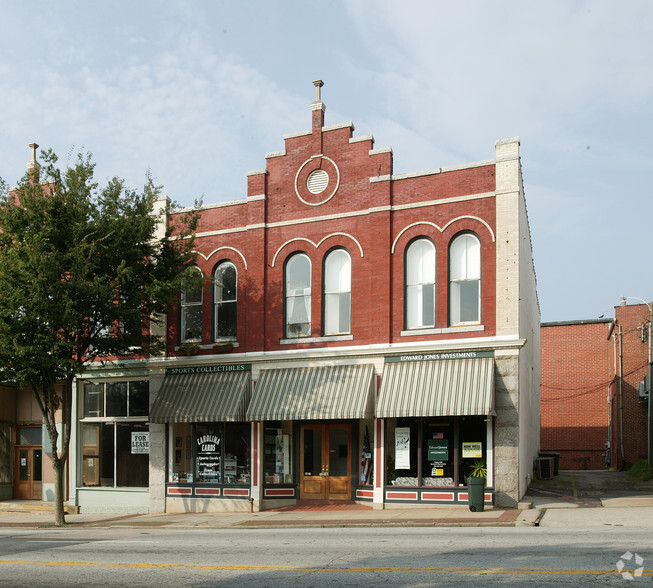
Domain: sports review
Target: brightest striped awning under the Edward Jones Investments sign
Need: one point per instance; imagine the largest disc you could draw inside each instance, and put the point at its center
(455, 387)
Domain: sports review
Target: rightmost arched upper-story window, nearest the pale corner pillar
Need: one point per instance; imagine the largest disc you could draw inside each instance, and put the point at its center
(465, 280)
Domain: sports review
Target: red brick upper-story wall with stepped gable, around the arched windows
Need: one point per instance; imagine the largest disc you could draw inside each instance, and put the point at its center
(364, 209)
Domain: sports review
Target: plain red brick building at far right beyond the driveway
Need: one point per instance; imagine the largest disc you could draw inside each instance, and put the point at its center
(592, 412)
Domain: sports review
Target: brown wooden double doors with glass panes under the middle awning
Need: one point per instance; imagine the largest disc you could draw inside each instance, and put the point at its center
(326, 462)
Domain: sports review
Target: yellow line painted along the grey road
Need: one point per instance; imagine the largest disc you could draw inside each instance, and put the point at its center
(353, 569)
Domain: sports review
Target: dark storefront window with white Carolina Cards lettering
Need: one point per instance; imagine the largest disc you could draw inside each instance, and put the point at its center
(211, 453)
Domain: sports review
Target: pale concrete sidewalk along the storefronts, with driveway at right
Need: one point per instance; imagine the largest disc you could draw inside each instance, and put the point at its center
(570, 499)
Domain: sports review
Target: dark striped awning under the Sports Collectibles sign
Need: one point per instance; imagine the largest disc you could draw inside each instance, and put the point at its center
(202, 397)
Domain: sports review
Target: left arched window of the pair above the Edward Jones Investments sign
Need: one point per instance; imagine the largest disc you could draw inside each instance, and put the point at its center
(420, 284)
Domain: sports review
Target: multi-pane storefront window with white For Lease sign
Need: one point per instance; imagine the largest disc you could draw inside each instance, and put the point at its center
(114, 440)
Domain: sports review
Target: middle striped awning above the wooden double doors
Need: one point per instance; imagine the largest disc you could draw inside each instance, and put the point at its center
(334, 392)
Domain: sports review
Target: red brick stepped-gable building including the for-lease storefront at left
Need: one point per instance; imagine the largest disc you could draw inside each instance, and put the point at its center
(366, 337)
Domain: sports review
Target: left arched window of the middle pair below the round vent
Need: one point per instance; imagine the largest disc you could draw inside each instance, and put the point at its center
(298, 296)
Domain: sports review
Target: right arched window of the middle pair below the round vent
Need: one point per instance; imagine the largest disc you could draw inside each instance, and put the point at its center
(337, 293)
